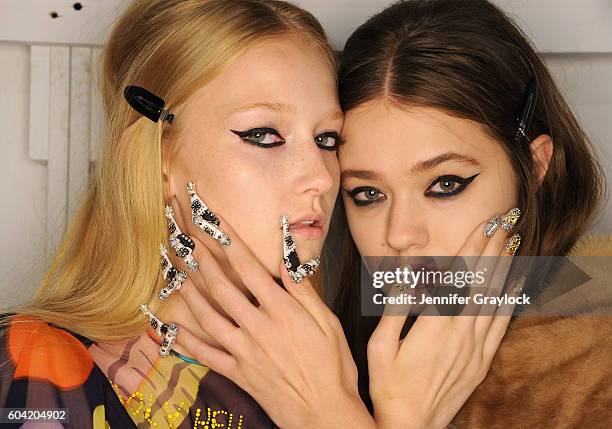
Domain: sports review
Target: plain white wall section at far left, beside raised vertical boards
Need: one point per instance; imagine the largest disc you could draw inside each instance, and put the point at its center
(22, 183)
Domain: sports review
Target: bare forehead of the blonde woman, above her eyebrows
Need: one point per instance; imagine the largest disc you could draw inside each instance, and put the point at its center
(283, 69)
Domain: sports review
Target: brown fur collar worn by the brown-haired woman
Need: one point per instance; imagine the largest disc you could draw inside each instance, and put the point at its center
(551, 372)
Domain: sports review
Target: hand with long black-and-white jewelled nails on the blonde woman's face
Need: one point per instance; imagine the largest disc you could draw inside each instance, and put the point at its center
(288, 352)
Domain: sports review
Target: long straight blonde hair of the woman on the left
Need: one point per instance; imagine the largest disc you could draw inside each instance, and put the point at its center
(108, 262)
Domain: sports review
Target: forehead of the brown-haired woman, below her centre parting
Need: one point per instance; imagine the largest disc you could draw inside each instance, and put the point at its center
(378, 131)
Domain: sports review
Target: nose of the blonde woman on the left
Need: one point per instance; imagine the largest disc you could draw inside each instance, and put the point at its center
(316, 170)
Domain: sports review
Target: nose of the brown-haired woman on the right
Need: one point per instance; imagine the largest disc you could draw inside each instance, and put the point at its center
(407, 232)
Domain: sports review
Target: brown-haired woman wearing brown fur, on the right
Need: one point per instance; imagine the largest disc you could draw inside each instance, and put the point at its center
(439, 137)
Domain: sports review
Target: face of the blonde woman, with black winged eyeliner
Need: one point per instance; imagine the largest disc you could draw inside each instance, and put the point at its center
(258, 141)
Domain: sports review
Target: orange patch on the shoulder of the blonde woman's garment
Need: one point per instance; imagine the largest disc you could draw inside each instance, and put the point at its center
(37, 351)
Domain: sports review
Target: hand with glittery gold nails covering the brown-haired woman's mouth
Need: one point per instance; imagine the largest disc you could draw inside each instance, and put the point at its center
(423, 380)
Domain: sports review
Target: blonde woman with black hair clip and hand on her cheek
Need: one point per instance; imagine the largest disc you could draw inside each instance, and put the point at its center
(242, 143)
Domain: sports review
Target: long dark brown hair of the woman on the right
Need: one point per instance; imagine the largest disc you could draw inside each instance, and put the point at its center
(471, 61)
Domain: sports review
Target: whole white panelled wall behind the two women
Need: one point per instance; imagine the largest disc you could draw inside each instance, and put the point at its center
(51, 123)
